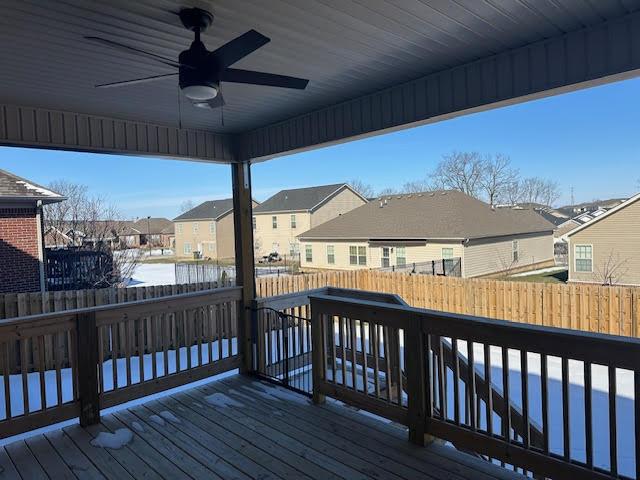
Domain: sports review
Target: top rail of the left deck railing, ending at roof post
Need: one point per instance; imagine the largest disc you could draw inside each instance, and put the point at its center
(230, 293)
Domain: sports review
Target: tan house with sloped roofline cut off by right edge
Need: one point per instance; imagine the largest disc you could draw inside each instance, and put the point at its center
(606, 250)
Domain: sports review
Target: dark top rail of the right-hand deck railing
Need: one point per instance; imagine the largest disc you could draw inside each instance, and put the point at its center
(618, 351)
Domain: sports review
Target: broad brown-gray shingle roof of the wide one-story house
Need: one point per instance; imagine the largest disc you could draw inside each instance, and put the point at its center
(442, 214)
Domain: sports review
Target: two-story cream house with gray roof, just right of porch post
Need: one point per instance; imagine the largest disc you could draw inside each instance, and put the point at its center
(280, 219)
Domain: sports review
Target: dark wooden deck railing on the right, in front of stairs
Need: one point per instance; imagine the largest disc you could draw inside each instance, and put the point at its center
(567, 400)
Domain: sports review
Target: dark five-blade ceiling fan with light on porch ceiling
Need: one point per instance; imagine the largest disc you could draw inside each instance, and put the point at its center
(200, 71)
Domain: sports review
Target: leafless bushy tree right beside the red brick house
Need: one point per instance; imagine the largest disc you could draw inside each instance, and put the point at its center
(90, 223)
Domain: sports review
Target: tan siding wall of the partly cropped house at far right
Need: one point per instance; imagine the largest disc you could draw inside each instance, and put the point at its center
(615, 239)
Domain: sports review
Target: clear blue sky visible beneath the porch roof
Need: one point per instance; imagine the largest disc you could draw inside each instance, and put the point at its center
(587, 139)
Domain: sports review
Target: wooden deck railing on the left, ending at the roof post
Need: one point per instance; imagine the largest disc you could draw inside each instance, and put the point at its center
(103, 356)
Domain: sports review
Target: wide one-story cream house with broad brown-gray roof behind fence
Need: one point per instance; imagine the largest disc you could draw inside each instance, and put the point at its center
(398, 230)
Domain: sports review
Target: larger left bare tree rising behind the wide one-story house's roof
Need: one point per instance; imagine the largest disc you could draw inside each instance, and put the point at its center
(459, 171)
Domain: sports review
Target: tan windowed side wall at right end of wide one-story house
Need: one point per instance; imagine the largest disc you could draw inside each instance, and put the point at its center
(483, 257)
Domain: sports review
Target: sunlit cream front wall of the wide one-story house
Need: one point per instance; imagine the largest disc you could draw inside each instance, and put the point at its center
(423, 253)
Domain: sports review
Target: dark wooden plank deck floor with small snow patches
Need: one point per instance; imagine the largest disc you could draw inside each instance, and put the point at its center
(238, 428)
